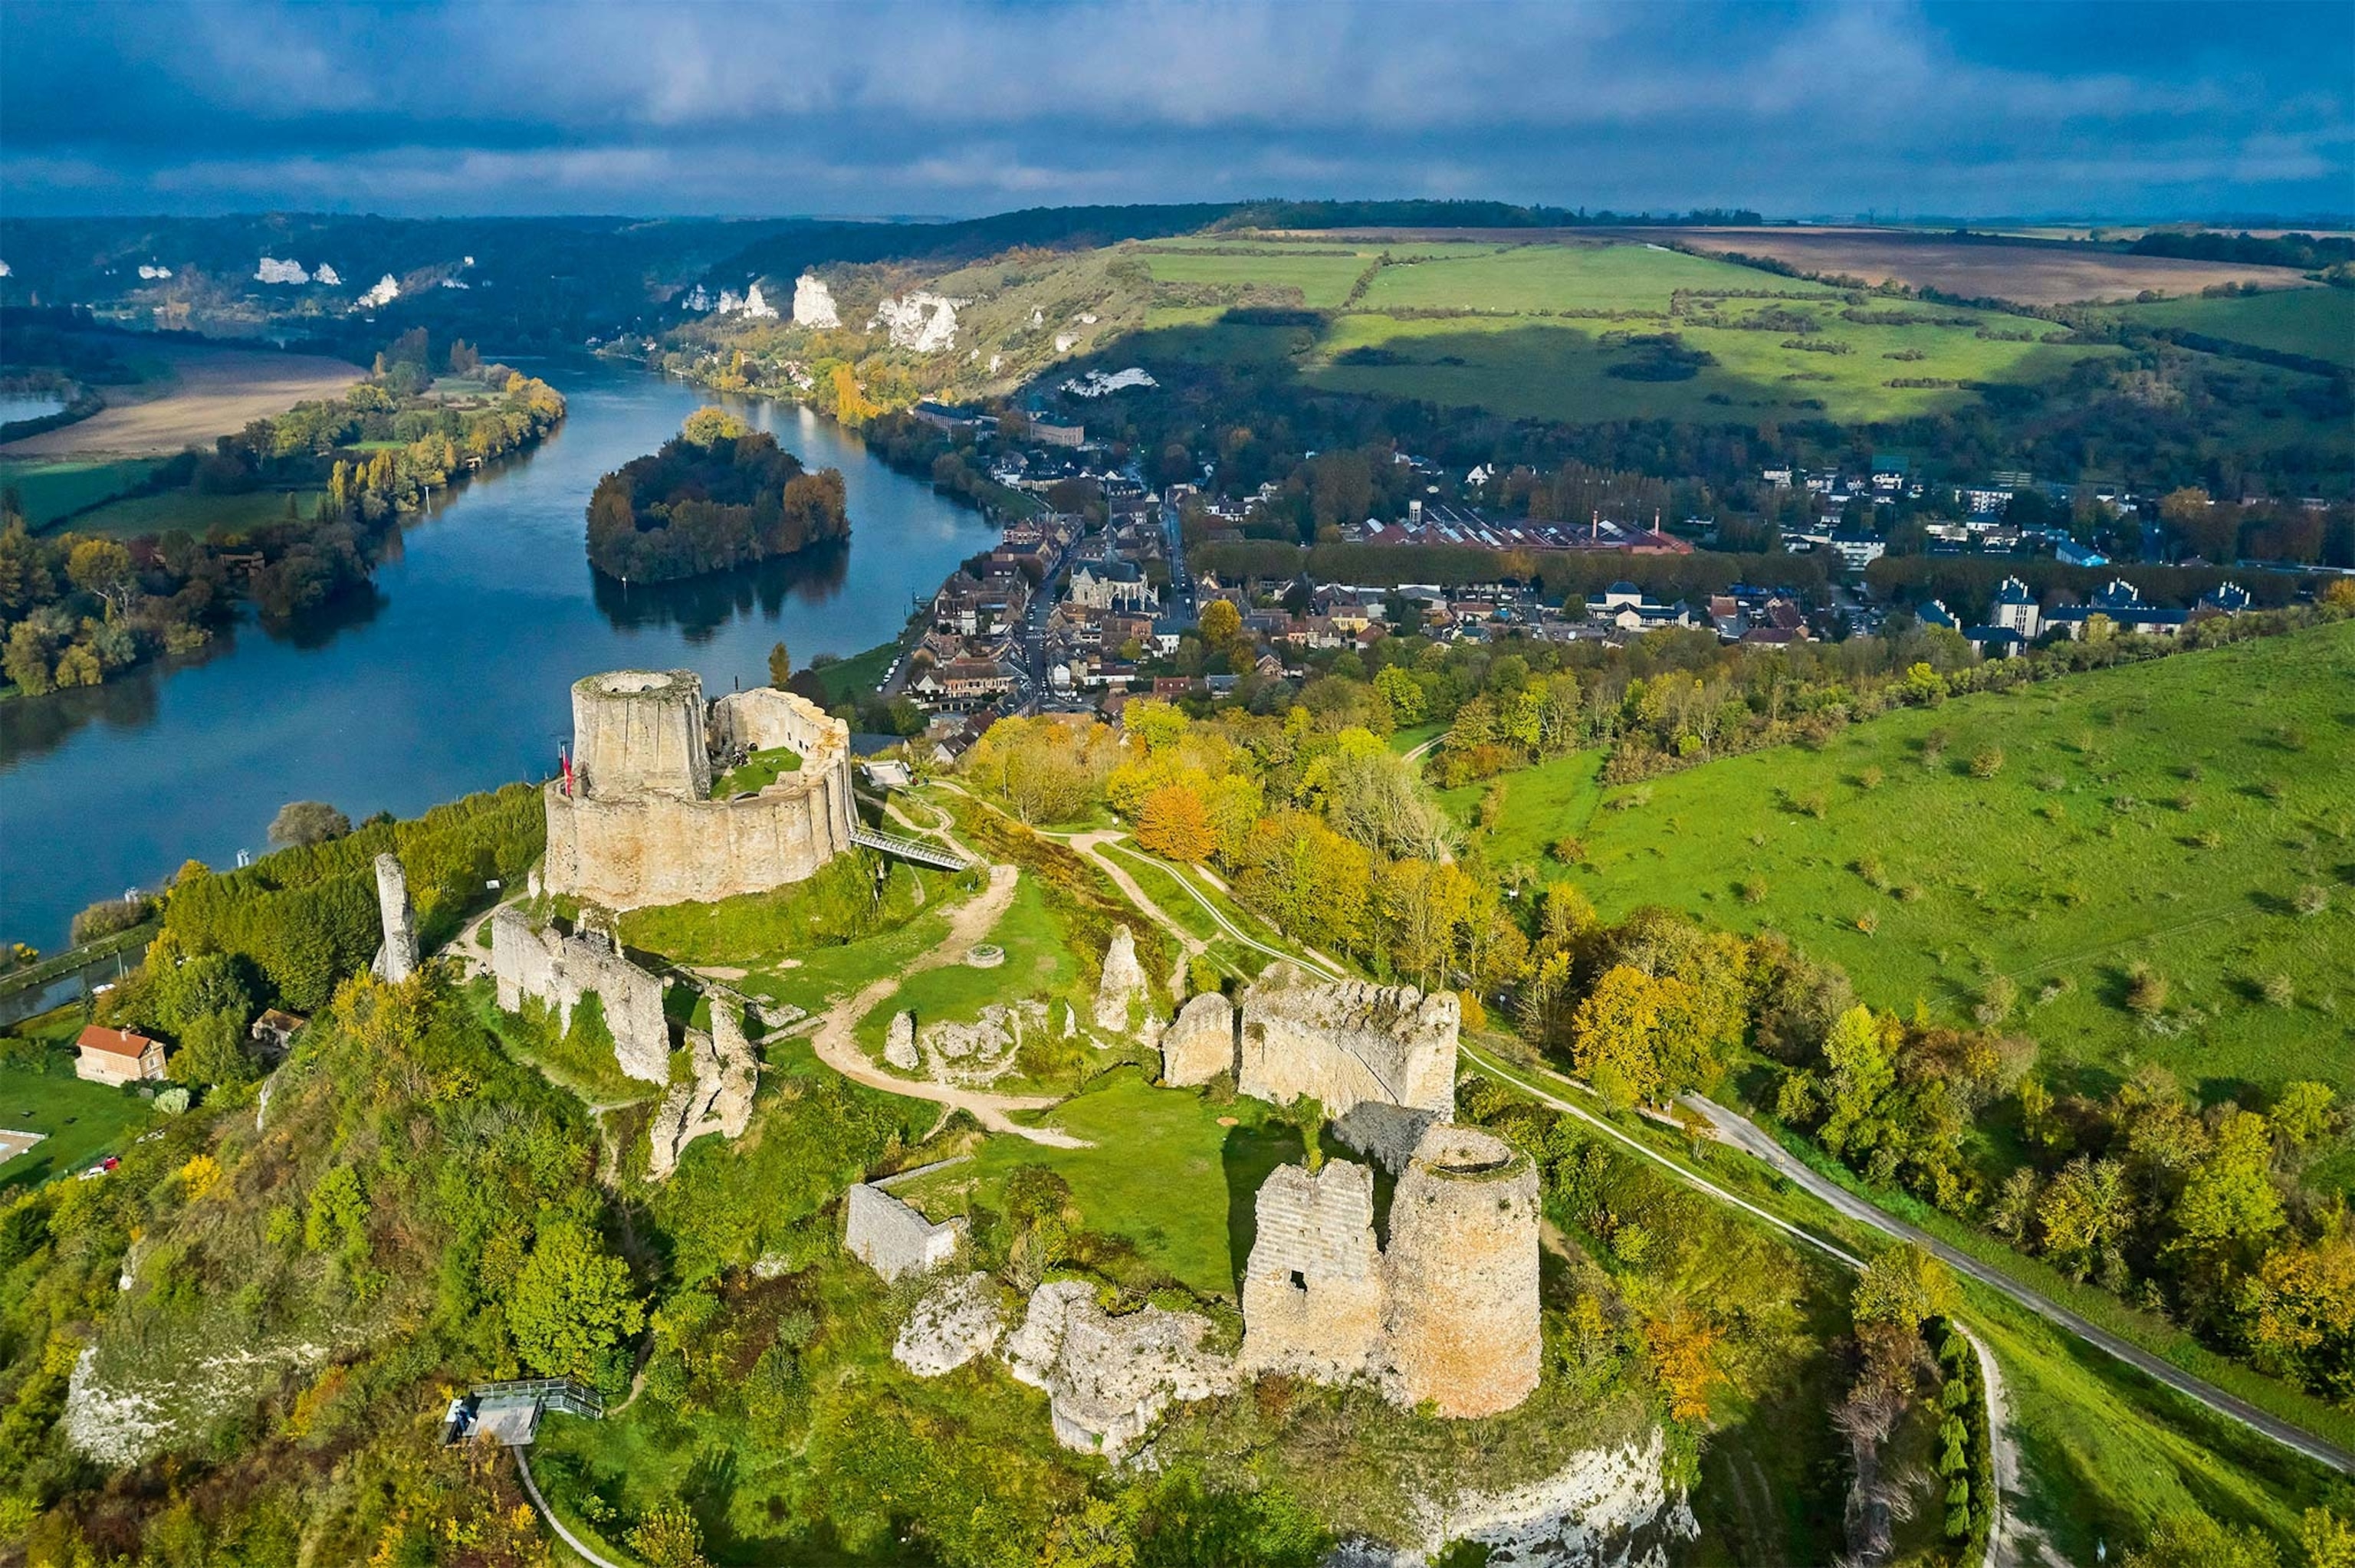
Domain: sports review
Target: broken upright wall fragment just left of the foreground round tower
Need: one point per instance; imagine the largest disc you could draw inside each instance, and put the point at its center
(1313, 1294)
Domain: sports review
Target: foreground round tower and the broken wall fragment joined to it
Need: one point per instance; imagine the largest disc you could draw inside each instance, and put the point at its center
(1447, 1315)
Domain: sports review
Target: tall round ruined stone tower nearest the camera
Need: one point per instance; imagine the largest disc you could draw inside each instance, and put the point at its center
(1461, 1308)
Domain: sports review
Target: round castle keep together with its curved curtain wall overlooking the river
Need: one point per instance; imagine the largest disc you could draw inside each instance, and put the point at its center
(639, 823)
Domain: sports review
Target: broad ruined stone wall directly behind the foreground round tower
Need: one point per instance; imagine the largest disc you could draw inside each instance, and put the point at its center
(1348, 1042)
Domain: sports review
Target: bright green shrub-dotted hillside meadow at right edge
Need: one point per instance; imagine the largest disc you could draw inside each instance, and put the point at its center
(2175, 816)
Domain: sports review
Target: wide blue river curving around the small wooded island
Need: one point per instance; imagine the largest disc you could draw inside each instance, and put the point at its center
(456, 672)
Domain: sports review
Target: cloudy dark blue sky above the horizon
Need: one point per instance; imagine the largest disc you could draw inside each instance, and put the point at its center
(1798, 109)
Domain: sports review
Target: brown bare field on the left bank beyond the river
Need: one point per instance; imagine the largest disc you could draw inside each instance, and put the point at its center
(213, 392)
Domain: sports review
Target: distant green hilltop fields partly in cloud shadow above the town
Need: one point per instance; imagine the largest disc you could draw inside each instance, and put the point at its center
(1558, 333)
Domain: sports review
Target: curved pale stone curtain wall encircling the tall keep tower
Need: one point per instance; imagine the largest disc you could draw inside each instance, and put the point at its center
(665, 846)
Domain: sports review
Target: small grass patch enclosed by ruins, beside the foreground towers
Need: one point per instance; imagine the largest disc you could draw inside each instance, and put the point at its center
(1160, 1171)
